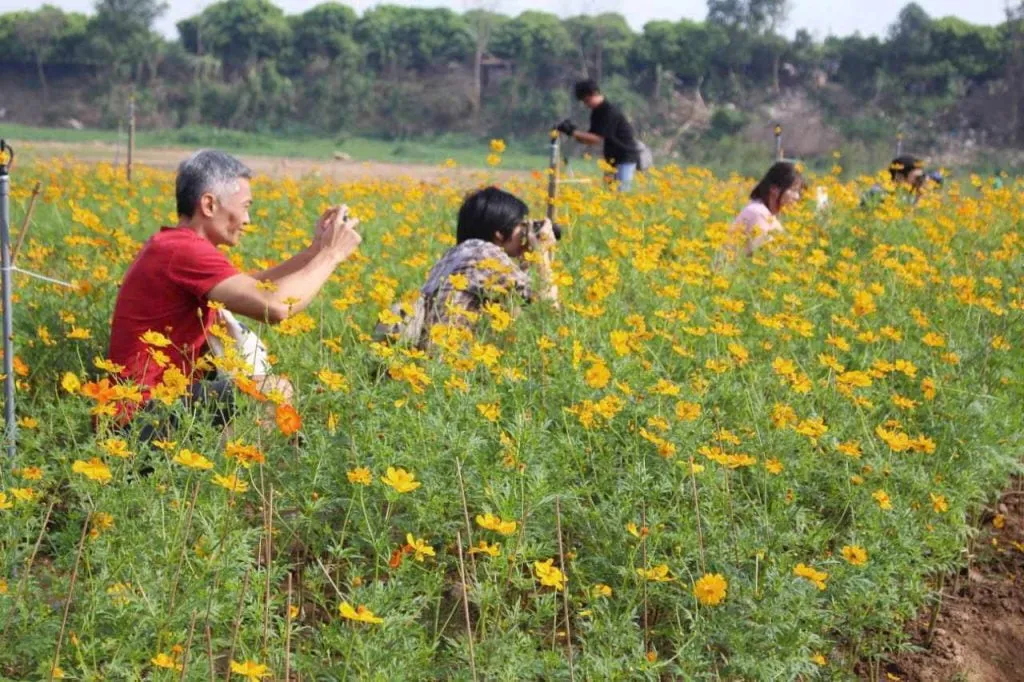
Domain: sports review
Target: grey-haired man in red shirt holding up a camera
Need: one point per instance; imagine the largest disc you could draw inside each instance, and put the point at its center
(163, 312)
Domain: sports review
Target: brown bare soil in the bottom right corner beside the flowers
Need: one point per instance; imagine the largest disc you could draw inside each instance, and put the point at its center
(979, 635)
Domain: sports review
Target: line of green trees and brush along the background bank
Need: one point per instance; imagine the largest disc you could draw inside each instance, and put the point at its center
(398, 71)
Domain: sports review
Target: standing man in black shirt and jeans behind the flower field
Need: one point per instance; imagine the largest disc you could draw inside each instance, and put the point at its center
(610, 129)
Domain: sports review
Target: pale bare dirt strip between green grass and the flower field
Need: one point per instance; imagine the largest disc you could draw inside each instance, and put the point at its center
(345, 172)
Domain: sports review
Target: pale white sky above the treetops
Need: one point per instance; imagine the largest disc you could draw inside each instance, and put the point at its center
(820, 17)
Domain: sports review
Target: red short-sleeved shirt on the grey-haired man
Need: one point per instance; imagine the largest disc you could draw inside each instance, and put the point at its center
(165, 291)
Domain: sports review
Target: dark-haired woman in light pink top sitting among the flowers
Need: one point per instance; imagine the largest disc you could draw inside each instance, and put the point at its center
(759, 223)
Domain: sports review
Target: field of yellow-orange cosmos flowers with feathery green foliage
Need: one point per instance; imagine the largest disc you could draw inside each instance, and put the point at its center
(694, 470)
